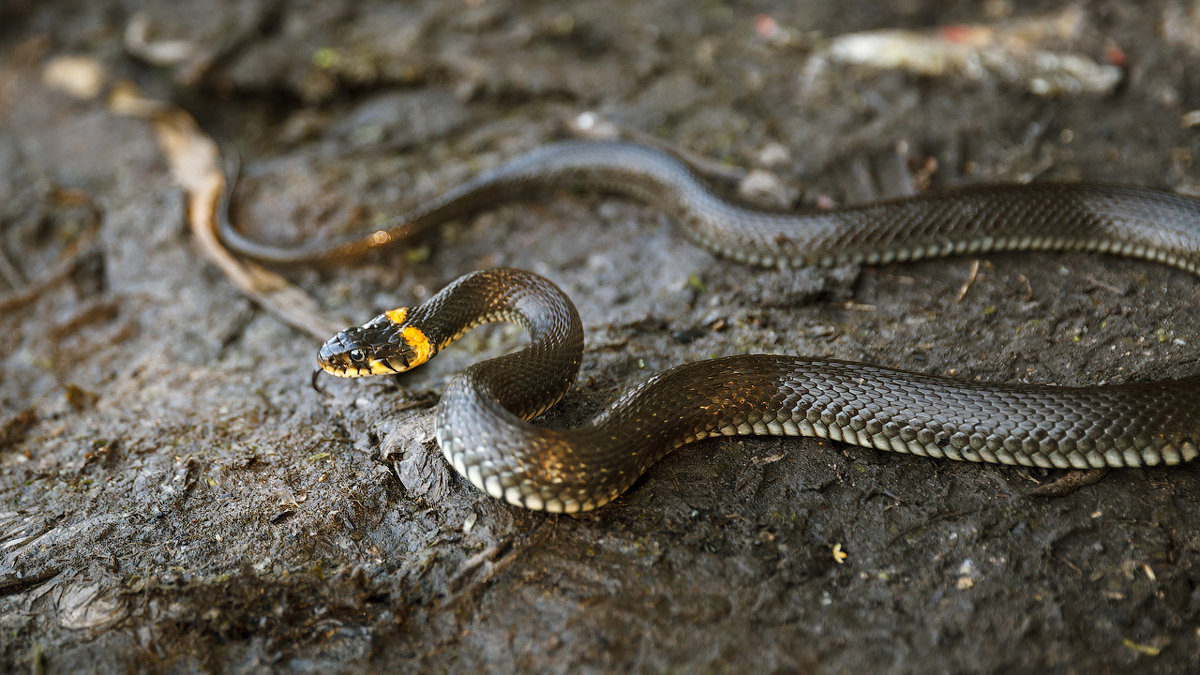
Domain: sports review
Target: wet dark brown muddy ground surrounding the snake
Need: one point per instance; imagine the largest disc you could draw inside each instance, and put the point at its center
(175, 497)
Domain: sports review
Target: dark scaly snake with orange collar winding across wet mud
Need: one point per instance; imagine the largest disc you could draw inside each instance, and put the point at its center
(484, 425)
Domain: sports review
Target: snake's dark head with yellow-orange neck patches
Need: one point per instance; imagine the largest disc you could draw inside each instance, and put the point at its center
(386, 345)
